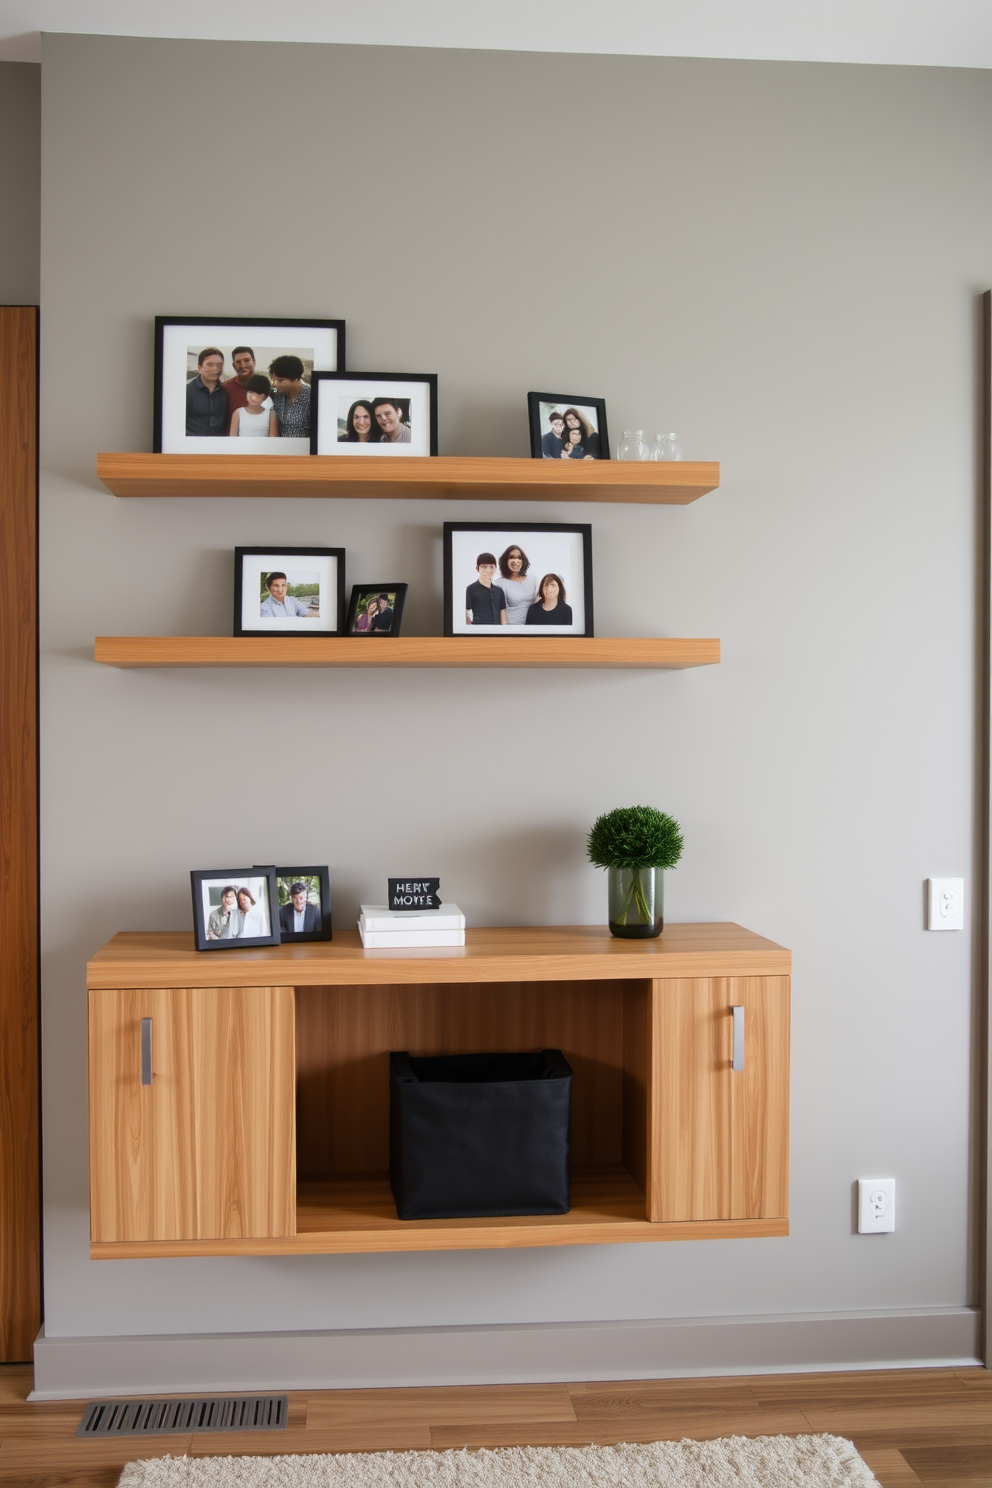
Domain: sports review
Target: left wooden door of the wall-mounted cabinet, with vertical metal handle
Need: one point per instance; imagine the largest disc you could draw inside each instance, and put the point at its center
(207, 1149)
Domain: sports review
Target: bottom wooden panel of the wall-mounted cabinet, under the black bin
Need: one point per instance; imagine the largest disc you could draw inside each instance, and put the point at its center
(358, 1215)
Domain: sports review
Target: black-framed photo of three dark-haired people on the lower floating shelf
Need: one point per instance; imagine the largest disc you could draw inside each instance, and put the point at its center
(518, 580)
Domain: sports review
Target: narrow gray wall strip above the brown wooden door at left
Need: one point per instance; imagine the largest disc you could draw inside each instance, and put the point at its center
(20, 182)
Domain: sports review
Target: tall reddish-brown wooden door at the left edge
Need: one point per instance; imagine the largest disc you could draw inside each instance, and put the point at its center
(20, 1216)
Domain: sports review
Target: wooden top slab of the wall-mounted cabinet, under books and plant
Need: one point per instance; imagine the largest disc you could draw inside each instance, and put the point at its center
(535, 953)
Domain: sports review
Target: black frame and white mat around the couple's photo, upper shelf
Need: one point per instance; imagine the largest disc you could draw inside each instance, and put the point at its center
(331, 389)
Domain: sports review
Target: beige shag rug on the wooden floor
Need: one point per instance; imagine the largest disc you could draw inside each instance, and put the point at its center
(732, 1462)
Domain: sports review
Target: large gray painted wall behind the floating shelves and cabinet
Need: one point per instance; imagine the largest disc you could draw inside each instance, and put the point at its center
(779, 261)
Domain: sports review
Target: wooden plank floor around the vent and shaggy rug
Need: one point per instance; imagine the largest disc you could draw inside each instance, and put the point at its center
(914, 1426)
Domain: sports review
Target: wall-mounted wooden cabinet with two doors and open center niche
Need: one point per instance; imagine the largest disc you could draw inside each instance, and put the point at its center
(240, 1100)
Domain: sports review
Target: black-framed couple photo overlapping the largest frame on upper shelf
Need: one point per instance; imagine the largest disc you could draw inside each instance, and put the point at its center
(376, 414)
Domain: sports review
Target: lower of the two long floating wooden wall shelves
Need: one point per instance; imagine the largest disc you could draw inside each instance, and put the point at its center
(404, 651)
